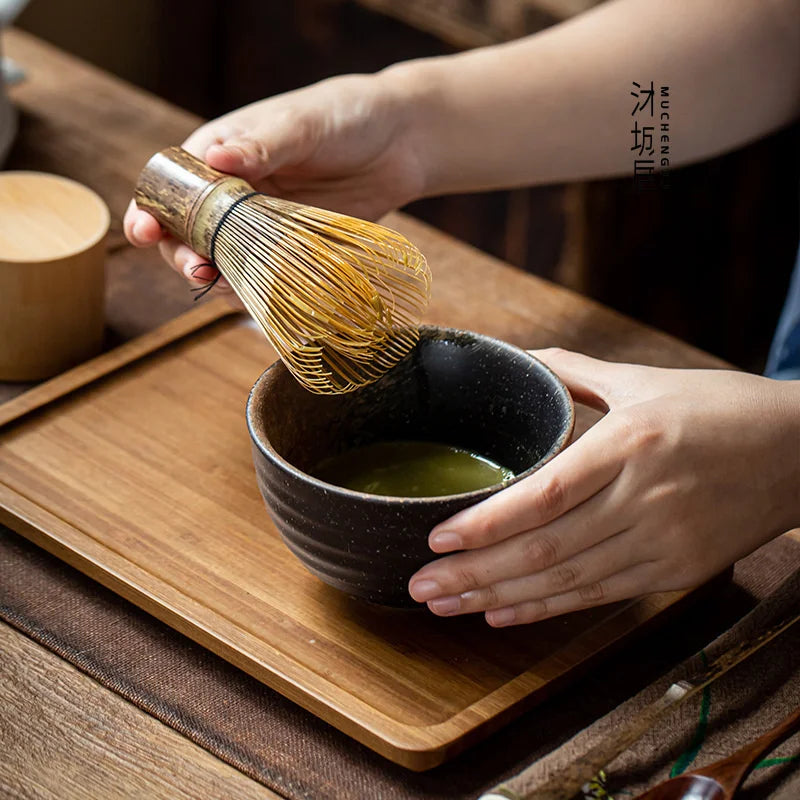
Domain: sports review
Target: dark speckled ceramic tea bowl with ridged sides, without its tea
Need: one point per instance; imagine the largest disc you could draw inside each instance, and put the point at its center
(456, 387)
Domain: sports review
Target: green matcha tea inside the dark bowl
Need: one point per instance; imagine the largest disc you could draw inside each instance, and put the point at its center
(411, 469)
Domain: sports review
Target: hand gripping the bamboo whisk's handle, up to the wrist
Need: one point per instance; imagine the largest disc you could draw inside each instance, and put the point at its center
(345, 144)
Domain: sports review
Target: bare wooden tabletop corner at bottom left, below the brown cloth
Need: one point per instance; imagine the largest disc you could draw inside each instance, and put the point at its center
(58, 746)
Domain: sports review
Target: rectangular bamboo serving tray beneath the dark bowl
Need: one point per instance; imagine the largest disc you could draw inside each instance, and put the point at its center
(135, 468)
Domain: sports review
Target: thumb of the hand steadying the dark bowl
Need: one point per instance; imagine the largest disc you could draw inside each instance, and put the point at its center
(599, 384)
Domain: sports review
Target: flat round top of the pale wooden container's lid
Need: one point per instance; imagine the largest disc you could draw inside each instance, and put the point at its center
(47, 217)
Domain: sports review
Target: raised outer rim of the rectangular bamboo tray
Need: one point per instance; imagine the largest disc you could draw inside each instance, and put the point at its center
(417, 747)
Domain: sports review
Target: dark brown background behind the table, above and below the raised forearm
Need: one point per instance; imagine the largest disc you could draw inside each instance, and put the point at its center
(707, 260)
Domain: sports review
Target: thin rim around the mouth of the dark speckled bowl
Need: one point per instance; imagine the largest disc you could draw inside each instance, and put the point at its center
(441, 332)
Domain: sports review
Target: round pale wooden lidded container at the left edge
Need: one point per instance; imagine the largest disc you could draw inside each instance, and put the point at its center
(52, 280)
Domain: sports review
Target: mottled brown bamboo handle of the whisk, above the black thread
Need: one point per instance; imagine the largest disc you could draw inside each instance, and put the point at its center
(187, 197)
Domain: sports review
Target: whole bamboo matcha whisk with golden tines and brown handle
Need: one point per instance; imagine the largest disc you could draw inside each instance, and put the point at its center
(339, 298)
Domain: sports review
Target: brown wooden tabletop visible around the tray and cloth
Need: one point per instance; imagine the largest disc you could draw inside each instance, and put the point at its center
(80, 122)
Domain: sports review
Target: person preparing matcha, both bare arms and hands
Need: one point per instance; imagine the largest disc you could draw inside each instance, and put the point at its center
(689, 469)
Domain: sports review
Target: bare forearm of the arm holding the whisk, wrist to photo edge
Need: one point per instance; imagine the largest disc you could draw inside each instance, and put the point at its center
(556, 106)
